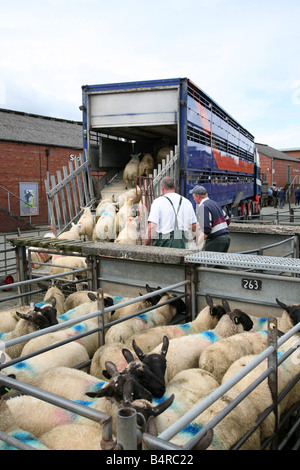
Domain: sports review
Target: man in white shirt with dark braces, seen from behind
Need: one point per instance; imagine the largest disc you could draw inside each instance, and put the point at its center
(170, 219)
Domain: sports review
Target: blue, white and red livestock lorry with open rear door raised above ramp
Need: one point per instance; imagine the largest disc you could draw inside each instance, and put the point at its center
(214, 149)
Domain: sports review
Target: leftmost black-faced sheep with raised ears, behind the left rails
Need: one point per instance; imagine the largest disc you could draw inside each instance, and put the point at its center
(35, 319)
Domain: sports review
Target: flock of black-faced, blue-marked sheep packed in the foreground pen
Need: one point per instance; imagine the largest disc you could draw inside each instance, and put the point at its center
(159, 369)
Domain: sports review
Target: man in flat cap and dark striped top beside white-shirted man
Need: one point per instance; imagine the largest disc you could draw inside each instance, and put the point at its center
(213, 222)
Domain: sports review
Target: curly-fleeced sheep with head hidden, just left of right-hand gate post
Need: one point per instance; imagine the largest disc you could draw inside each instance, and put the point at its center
(217, 357)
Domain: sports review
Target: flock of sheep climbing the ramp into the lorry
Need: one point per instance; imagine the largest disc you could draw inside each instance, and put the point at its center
(115, 218)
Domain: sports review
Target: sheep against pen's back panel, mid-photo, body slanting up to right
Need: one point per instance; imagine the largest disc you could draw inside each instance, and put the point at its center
(161, 315)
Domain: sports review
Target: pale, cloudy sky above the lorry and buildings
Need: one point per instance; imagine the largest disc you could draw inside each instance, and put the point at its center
(244, 54)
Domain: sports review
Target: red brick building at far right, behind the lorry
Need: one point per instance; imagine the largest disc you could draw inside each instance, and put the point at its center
(278, 168)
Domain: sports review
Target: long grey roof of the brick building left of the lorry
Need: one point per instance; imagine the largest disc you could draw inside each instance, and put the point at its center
(27, 128)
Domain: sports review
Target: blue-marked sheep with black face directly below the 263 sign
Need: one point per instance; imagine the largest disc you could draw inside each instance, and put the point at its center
(184, 352)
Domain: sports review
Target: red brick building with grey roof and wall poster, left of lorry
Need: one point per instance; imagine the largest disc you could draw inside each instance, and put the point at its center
(32, 147)
